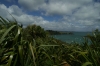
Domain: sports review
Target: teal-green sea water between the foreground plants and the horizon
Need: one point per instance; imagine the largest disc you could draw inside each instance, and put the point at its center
(77, 36)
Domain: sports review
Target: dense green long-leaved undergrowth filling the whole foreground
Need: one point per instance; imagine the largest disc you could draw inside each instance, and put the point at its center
(32, 46)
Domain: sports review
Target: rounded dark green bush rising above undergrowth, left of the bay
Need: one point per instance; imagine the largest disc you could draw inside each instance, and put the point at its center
(34, 32)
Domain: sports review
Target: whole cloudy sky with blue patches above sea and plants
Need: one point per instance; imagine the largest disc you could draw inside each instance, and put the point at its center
(60, 15)
